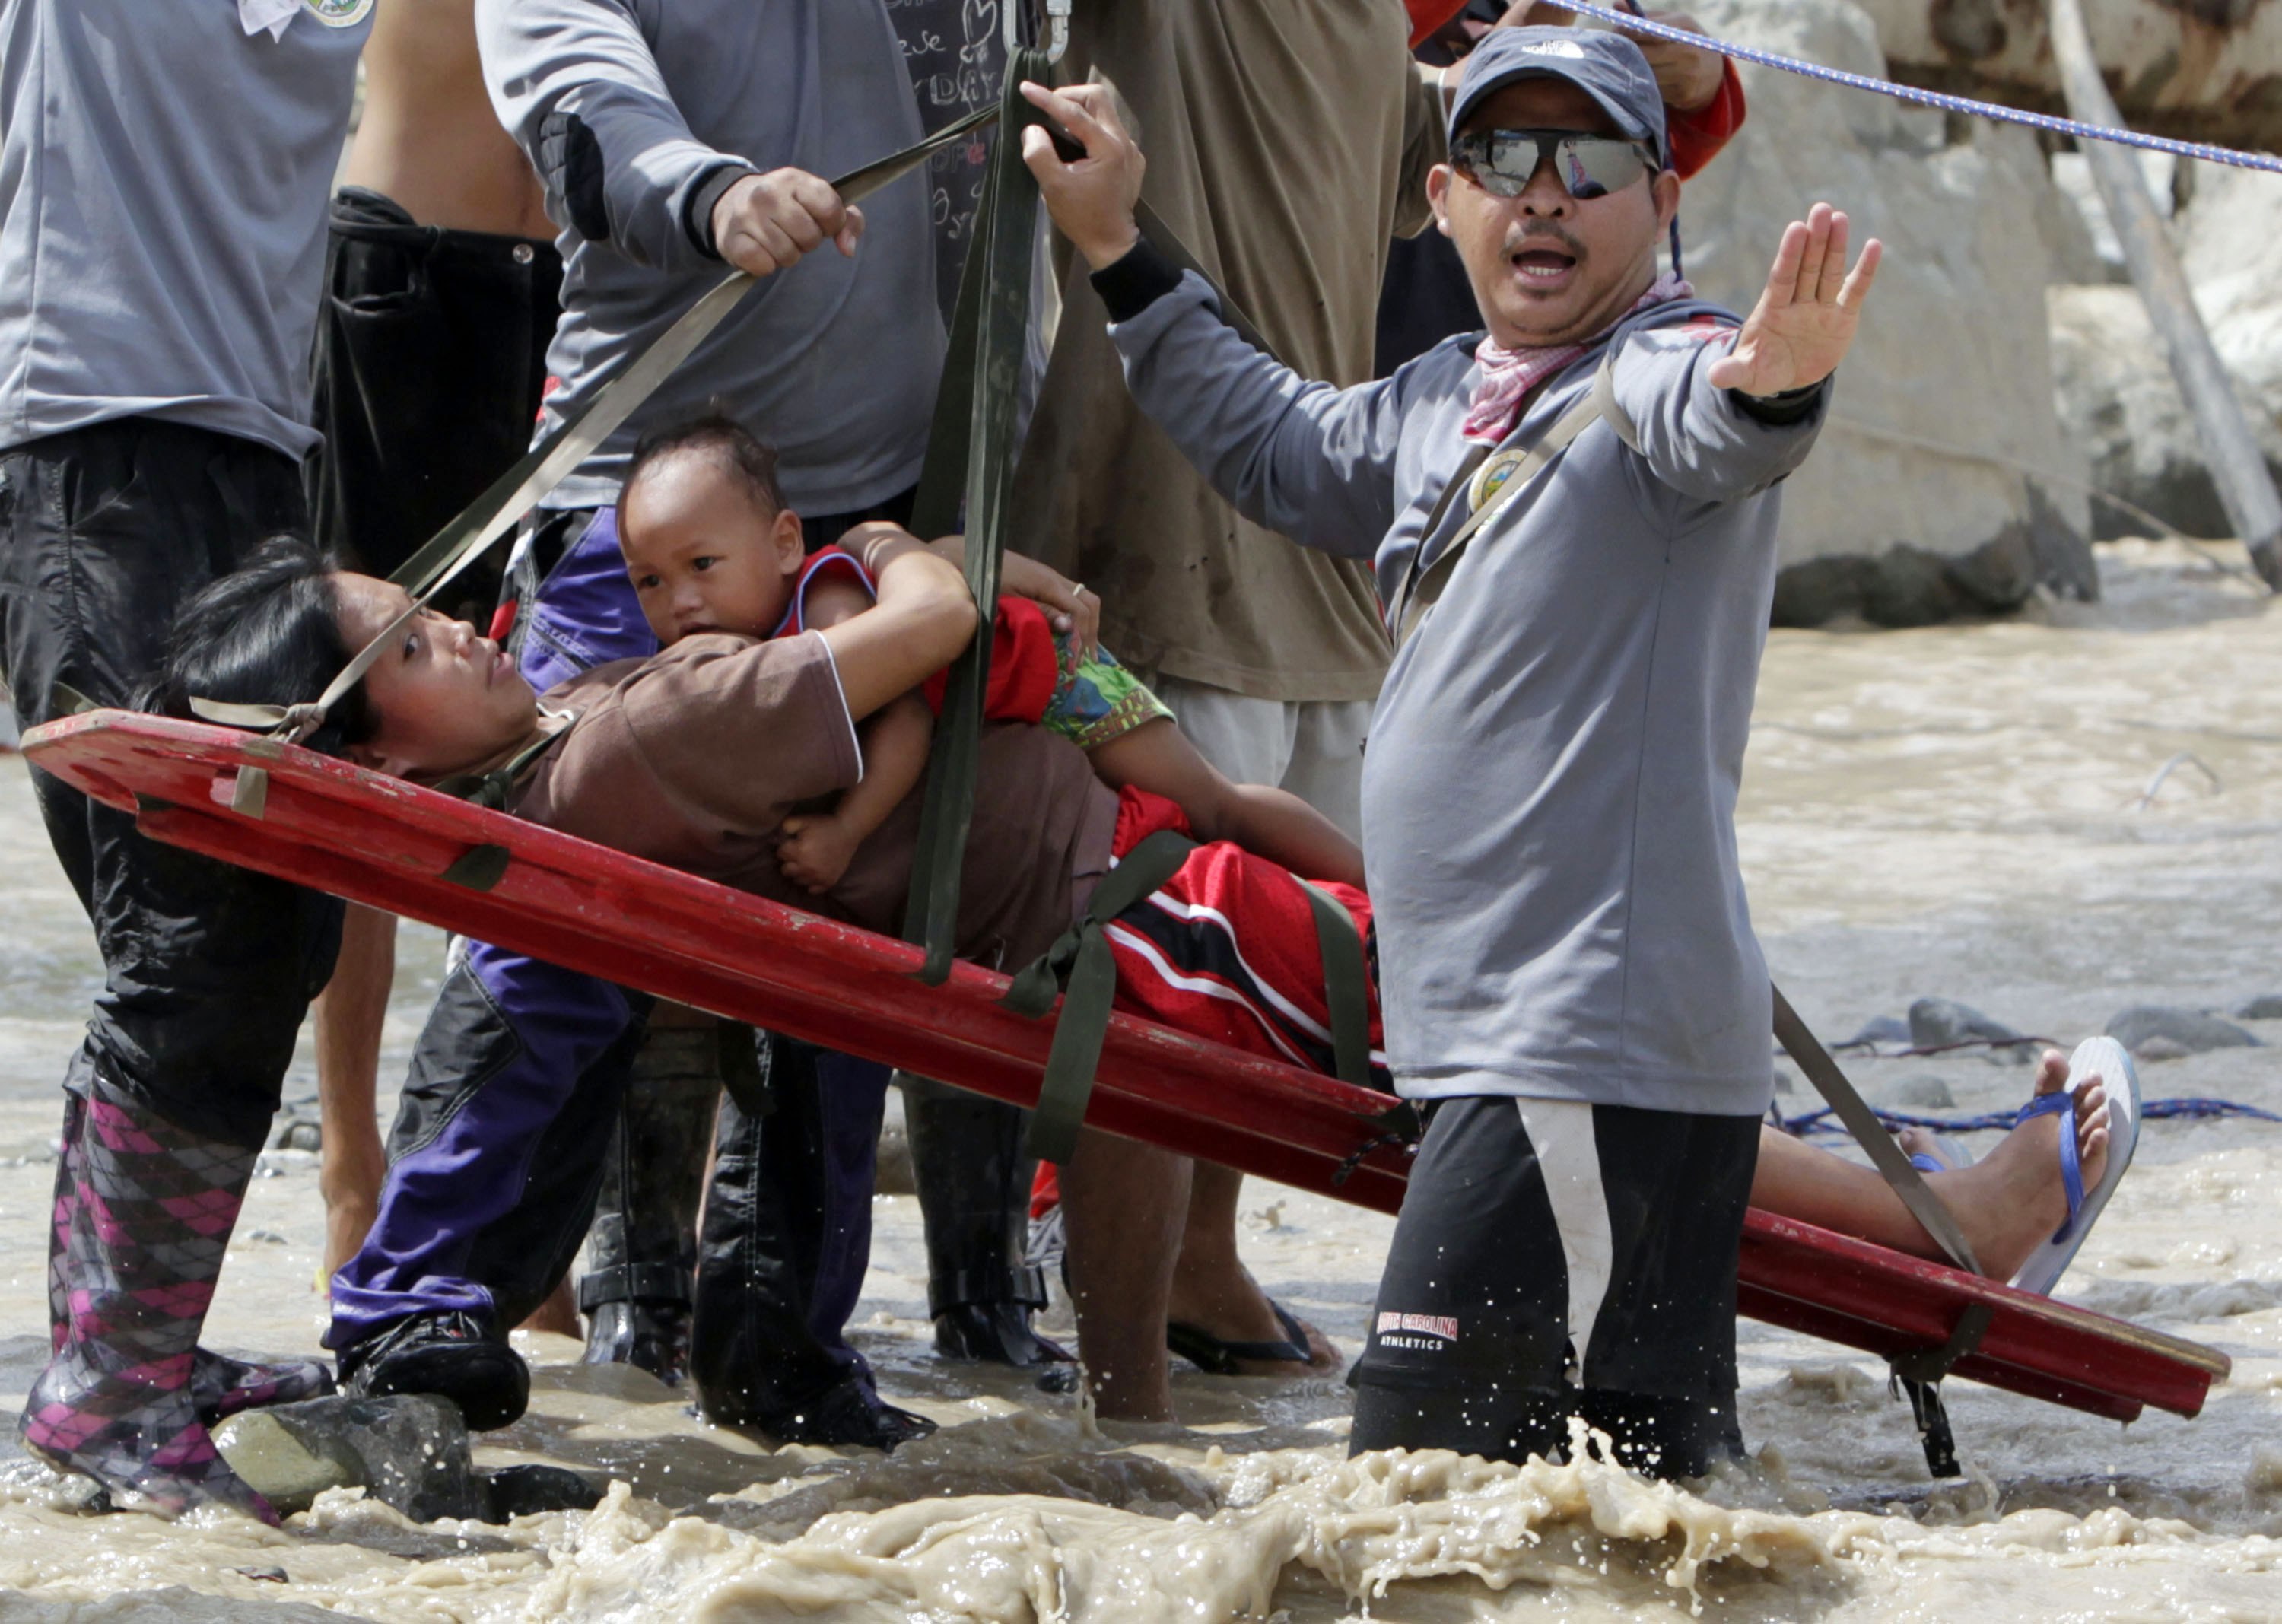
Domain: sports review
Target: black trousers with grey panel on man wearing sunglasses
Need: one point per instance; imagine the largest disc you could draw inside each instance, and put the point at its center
(1628, 1219)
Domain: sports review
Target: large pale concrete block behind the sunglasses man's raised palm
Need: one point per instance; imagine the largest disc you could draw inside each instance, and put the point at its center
(1943, 482)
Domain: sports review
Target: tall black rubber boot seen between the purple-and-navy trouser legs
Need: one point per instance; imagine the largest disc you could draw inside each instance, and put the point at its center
(642, 1251)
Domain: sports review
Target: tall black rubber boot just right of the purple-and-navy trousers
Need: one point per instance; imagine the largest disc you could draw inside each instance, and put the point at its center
(966, 1158)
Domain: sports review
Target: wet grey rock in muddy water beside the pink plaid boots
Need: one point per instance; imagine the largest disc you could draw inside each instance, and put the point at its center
(407, 1452)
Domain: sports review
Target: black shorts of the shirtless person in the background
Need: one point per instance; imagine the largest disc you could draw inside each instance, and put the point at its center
(432, 357)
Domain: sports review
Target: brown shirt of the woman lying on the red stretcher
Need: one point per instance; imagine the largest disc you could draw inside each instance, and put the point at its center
(695, 758)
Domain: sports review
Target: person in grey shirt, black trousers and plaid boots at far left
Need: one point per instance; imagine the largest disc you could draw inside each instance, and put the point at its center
(163, 179)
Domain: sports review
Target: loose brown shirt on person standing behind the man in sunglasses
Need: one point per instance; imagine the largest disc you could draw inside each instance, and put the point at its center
(1288, 143)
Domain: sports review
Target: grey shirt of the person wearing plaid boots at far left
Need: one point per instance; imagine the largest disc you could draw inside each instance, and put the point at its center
(163, 181)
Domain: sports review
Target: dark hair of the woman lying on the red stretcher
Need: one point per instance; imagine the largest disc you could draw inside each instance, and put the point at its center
(268, 635)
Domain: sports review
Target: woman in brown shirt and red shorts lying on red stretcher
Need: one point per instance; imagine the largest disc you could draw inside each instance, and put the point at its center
(697, 758)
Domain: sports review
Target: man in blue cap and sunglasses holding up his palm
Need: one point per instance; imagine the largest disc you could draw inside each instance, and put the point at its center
(1548, 799)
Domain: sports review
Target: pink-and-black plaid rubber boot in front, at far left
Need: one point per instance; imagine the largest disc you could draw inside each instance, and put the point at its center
(145, 1212)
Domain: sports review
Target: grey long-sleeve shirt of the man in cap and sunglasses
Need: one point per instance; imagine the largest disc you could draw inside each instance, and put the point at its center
(1548, 795)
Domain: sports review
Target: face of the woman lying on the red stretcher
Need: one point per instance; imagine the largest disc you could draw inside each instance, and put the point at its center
(446, 697)
